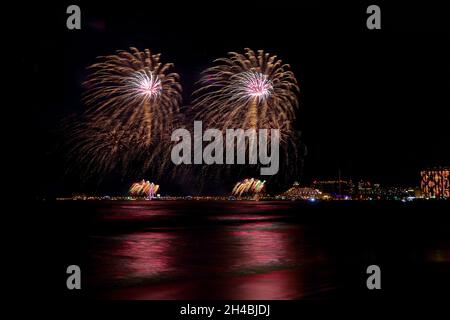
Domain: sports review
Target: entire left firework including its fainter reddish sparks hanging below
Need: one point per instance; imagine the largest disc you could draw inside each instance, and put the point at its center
(133, 102)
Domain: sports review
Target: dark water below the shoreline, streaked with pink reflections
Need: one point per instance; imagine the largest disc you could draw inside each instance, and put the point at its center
(251, 250)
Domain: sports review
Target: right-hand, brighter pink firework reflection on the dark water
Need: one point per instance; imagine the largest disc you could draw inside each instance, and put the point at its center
(263, 251)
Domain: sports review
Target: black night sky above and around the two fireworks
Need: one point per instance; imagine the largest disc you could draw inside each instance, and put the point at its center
(373, 103)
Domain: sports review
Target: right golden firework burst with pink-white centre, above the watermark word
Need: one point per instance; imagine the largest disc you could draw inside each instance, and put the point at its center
(251, 90)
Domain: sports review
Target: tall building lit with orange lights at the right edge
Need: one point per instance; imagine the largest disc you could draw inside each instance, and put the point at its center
(434, 183)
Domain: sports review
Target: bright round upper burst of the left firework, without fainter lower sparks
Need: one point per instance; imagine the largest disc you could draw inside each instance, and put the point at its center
(134, 87)
